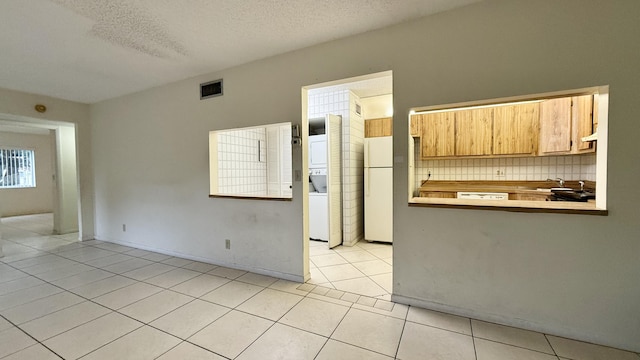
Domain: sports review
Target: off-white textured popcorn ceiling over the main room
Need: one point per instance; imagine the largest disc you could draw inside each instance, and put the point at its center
(92, 50)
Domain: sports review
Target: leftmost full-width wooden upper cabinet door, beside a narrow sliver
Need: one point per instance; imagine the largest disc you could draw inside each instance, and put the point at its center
(438, 134)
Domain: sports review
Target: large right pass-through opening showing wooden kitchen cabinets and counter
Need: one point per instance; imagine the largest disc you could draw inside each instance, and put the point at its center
(538, 151)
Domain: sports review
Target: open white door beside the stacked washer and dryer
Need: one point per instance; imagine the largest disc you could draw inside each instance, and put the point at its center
(333, 129)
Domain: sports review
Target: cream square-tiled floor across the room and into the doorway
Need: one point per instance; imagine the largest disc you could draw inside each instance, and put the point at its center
(60, 298)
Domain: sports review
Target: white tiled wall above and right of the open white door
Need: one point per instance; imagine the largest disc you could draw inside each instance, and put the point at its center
(342, 102)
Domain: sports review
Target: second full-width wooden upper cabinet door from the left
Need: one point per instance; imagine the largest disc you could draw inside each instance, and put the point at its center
(474, 131)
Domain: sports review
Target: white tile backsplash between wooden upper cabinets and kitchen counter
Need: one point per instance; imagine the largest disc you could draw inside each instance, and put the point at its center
(568, 167)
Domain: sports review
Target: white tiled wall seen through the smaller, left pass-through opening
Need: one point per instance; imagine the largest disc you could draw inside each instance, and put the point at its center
(238, 155)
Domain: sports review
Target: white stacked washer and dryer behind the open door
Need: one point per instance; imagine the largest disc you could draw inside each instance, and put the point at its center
(318, 202)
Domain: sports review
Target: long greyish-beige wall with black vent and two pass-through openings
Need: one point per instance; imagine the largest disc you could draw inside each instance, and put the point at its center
(571, 275)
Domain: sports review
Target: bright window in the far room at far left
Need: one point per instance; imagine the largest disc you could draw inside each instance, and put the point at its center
(17, 168)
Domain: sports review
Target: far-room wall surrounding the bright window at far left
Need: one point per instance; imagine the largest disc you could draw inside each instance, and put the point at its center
(34, 200)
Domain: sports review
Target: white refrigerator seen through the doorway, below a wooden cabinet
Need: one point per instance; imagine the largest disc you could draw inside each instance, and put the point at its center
(378, 189)
